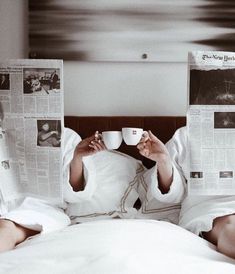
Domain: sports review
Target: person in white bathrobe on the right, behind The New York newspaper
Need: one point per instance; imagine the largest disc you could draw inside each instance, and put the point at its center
(209, 216)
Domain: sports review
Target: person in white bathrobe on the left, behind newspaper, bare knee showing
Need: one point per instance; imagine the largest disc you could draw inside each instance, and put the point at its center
(21, 219)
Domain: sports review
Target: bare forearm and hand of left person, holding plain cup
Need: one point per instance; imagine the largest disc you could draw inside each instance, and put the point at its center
(86, 147)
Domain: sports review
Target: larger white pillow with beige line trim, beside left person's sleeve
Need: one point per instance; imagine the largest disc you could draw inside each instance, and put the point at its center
(111, 188)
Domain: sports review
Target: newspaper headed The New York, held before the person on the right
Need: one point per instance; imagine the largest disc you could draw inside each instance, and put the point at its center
(211, 123)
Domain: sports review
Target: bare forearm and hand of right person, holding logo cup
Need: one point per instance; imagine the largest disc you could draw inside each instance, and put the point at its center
(151, 147)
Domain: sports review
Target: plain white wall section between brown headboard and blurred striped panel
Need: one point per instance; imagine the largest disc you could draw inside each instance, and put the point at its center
(125, 88)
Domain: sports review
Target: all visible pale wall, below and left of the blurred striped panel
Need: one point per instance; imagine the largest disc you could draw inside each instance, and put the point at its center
(103, 88)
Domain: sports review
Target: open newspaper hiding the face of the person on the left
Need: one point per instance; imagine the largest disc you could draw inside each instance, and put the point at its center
(31, 123)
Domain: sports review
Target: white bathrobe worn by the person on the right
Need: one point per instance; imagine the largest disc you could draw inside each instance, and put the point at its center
(197, 212)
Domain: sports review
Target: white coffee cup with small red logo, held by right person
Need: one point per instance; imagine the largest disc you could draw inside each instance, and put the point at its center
(132, 135)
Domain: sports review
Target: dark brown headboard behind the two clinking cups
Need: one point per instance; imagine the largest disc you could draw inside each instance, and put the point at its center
(163, 127)
